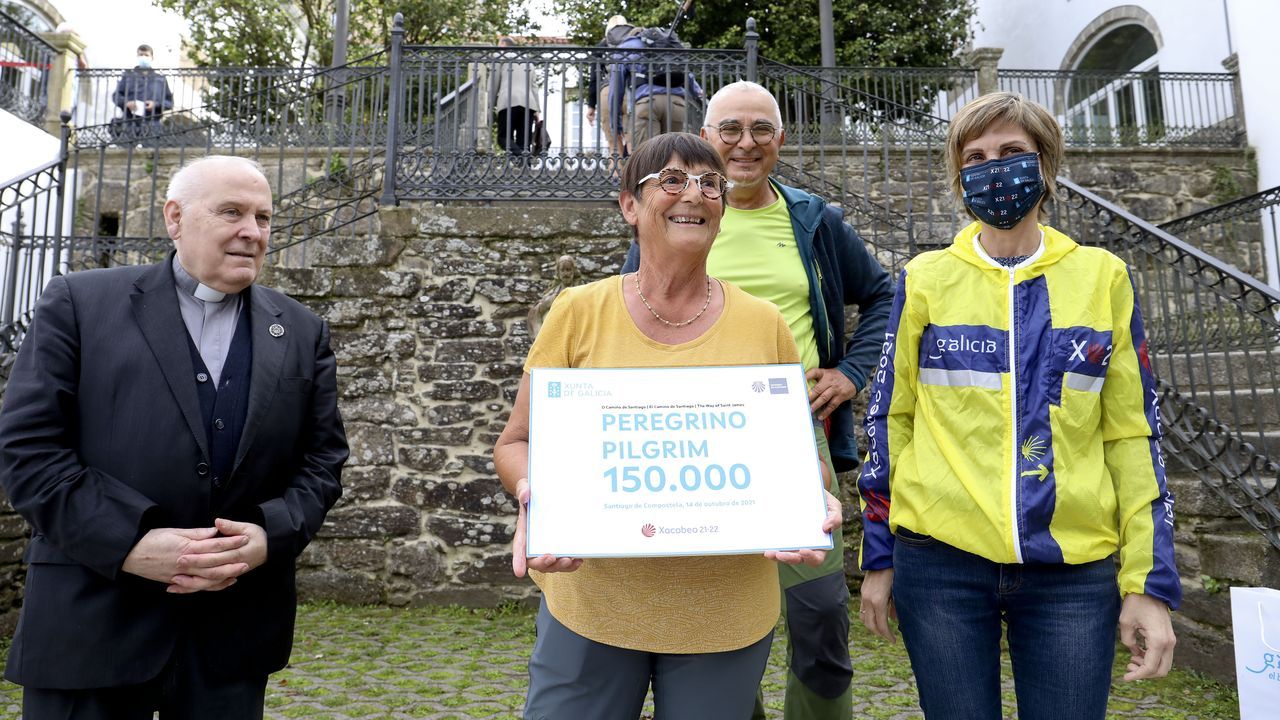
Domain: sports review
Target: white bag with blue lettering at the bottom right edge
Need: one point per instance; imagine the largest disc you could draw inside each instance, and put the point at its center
(1256, 626)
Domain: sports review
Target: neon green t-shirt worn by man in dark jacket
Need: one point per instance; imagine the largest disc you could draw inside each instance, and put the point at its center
(757, 252)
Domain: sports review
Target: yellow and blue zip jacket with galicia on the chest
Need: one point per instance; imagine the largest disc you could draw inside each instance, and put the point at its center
(1013, 416)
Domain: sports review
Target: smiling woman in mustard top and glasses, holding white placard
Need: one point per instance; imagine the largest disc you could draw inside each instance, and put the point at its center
(698, 628)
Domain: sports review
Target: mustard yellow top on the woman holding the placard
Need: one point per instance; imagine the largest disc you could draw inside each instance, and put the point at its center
(678, 605)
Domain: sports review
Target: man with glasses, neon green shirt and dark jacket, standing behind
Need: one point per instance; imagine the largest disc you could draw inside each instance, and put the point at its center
(789, 247)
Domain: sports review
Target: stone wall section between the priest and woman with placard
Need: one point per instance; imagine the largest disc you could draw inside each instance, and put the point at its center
(431, 334)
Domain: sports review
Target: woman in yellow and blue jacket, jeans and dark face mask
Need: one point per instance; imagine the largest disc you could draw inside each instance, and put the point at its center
(1014, 450)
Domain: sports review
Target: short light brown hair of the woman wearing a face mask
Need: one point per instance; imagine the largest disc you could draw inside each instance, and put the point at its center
(975, 119)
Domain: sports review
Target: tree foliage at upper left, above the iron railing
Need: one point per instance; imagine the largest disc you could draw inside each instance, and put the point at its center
(296, 33)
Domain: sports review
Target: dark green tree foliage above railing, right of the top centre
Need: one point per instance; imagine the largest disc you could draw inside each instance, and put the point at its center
(868, 33)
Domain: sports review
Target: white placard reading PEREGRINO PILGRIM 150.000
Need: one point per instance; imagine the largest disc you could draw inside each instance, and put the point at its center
(659, 462)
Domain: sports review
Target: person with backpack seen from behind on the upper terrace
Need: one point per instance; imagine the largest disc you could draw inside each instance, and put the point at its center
(660, 88)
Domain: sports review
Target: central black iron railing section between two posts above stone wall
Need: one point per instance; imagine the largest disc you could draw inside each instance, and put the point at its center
(450, 145)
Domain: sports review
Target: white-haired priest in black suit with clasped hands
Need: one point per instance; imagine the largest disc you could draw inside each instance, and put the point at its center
(172, 435)
